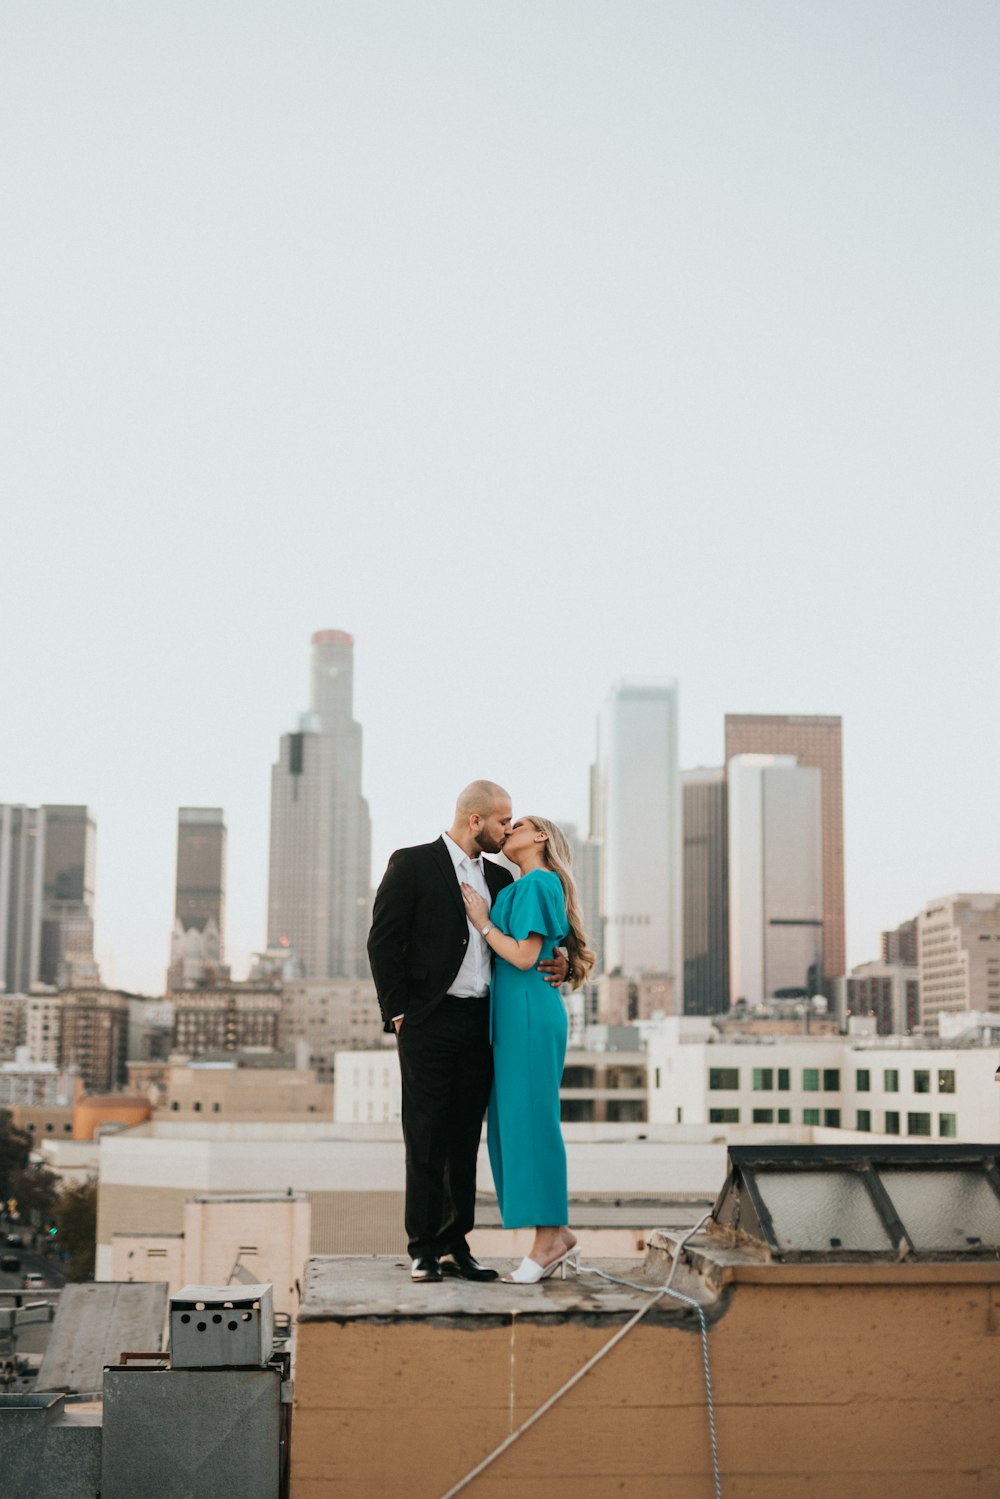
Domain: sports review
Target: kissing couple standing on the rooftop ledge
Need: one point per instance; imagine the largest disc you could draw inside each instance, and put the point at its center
(469, 965)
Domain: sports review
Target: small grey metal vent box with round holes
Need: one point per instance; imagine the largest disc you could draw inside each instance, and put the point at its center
(218, 1327)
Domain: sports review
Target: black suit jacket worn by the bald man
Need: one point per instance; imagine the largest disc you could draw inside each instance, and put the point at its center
(421, 930)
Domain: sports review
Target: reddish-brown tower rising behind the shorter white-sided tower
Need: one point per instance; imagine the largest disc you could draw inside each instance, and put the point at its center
(815, 741)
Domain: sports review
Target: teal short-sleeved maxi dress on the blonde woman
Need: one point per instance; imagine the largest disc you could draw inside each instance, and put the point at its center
(530, 1041)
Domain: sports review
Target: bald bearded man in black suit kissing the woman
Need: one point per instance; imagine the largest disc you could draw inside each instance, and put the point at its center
(433, 974)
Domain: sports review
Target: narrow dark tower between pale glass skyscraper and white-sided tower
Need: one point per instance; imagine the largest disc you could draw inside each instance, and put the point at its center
(705, 893)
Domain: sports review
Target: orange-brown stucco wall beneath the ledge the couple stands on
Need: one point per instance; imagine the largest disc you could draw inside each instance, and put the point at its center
(824, 1392)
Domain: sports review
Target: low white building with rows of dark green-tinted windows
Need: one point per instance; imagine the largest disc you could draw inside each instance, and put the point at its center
(885, 1086)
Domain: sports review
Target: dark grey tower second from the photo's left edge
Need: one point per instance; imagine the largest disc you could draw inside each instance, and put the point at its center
(68, 917)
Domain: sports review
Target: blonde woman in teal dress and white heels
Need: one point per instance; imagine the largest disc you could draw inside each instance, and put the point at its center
(530, 920)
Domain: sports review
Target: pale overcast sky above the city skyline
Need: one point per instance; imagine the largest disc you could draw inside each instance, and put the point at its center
(534, 344)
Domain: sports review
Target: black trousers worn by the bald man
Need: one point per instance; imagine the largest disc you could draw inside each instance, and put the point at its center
(448, 1070)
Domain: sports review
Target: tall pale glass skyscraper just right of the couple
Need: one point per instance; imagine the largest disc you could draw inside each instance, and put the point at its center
(639, 827)
